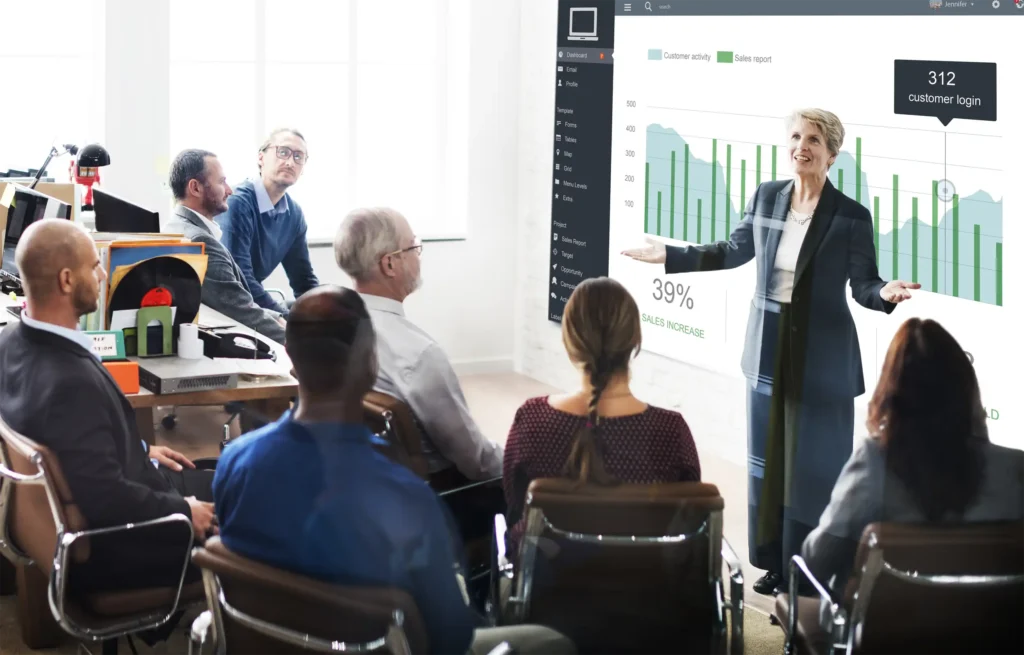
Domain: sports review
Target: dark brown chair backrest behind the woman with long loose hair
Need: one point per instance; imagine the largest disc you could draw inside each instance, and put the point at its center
(935, 588)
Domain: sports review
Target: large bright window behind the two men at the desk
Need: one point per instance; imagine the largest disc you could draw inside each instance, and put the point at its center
(379, 90)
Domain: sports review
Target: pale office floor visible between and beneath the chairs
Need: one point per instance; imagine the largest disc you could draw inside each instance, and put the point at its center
(494, 401)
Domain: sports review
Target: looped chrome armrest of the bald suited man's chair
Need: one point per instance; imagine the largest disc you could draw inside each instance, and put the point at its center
(59, 582)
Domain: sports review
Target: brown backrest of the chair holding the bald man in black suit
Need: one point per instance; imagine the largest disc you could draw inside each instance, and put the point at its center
(38, 504)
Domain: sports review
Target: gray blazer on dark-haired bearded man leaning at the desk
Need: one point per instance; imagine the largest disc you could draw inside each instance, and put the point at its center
(224, 288)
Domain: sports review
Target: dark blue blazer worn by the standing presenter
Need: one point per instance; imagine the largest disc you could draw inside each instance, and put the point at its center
(839, 248)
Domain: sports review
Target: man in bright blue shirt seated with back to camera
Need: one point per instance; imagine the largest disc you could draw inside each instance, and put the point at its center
(311, 495)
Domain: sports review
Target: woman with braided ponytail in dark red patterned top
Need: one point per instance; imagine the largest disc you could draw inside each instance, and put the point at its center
(602, 433)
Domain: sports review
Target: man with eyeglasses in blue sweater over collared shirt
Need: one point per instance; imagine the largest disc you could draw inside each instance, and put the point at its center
(265, 228)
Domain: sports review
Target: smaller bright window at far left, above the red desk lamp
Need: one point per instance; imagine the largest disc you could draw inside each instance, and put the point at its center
(52, 65)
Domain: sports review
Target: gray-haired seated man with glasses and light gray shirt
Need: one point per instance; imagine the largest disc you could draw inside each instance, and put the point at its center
(378, 250)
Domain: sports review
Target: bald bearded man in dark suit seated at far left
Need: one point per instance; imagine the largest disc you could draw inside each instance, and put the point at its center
(55, 391)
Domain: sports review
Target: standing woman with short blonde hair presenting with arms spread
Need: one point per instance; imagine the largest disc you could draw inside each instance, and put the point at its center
(801, 356)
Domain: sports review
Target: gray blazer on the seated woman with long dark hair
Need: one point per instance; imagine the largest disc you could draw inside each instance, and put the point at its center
(867, 493)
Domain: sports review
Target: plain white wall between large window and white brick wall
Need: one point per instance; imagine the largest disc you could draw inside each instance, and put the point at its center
(466, 301)
